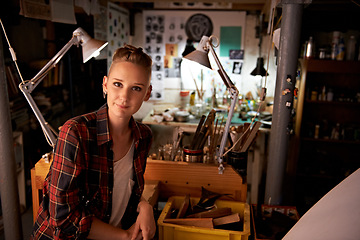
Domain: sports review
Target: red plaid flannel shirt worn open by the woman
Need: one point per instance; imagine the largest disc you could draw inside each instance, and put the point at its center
(80, 181)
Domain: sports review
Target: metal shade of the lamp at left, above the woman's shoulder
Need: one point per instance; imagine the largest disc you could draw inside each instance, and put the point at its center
(90, 47)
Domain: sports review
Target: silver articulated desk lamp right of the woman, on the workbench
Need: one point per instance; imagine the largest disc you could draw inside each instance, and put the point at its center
(200, 55)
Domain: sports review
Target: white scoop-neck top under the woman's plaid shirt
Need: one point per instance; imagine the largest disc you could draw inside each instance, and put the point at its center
(123, 184)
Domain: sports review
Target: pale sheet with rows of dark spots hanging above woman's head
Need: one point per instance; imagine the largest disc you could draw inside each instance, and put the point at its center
(118, 27)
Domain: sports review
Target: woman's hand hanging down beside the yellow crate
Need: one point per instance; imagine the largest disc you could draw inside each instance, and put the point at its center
(145, 223)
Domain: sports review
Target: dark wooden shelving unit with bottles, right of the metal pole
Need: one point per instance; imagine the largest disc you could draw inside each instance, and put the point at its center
(327, 131)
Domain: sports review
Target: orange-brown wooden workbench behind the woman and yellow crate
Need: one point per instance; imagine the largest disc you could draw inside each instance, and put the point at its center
(165, 179)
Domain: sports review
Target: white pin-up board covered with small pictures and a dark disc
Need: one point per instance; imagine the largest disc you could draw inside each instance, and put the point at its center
(165, 35)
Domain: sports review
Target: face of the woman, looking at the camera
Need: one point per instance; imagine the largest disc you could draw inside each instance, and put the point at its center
(127, 86)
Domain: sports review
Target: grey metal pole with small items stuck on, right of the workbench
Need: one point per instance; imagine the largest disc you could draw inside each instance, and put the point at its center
(285, 80)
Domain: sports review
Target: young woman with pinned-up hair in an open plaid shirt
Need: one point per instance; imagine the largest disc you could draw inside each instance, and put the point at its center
(94, 186)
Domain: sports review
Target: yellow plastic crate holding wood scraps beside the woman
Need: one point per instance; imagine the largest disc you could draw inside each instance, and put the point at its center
(168, 231)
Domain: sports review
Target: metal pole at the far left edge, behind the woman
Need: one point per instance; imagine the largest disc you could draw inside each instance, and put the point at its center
(8, 177)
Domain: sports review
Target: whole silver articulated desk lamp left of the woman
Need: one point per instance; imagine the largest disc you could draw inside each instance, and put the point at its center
(90, 48)
